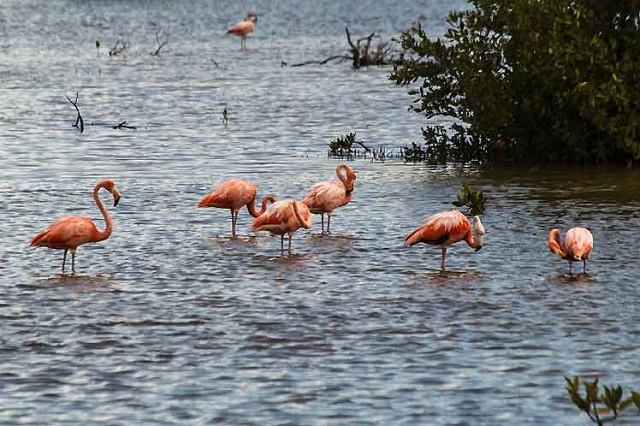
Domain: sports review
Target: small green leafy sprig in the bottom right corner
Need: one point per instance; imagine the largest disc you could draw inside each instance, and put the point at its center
(600, 407)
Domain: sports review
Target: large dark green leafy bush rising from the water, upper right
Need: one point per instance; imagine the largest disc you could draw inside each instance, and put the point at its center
(565, 94)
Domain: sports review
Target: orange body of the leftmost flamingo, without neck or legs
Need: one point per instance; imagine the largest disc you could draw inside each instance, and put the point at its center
(67, 233)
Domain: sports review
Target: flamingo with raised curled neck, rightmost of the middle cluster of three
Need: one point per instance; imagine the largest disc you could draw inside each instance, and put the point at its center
(325, 197)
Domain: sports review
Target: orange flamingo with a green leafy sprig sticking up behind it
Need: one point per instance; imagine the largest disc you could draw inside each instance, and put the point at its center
(447, 228)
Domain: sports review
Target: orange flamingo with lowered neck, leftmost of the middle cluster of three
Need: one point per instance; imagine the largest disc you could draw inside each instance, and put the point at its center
(233, 195)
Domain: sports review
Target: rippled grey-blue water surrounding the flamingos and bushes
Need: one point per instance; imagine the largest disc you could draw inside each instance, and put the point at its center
(169, 321)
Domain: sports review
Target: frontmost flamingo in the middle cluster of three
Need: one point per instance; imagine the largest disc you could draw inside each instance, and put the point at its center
(283, 217)
